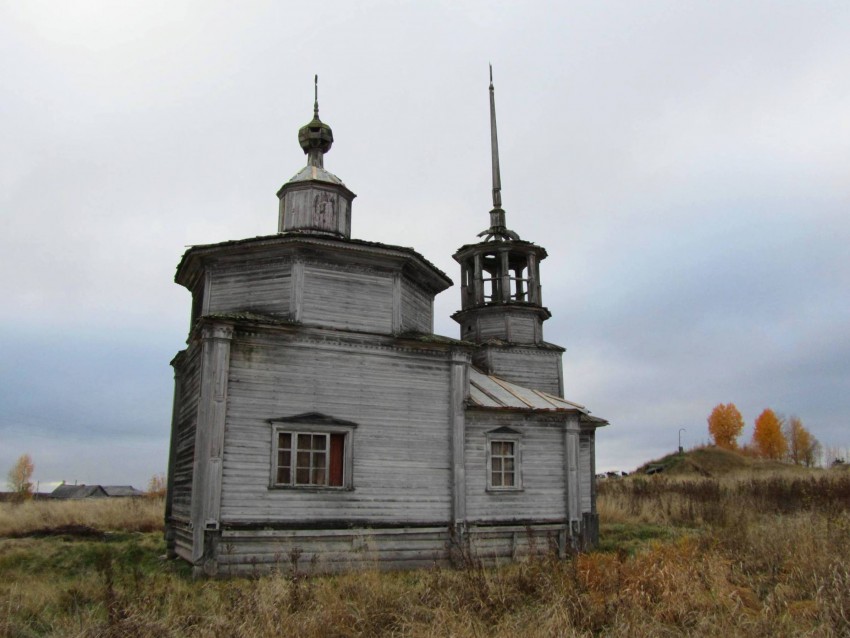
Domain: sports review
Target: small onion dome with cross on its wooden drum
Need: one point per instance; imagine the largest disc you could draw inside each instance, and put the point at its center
(315, 200)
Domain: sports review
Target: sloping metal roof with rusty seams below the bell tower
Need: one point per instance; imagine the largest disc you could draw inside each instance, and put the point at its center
(487, 391)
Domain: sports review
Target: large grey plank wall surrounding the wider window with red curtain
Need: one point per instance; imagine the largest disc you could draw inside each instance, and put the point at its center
(401, 446)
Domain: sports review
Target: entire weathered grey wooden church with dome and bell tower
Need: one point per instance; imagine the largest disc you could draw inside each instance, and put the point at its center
(318, 419)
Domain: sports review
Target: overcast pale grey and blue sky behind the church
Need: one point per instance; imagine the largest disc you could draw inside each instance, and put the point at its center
(685, 164)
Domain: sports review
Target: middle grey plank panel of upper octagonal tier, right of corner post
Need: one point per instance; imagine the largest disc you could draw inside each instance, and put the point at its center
(348, 300)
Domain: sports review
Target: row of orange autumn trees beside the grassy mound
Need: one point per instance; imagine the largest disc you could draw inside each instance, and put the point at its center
(774, 437)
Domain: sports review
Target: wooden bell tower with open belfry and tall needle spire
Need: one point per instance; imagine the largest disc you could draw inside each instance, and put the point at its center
(501, 297)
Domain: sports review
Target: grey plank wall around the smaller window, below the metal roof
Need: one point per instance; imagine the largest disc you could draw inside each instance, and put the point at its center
(543, 483)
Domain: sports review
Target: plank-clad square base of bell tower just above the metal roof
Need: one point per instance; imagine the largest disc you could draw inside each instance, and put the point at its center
(537, 369)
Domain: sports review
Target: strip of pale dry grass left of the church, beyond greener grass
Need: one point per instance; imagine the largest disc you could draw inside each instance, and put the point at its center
(108, 514)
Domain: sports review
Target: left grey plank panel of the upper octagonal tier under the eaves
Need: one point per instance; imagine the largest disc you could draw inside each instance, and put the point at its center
(256, 286)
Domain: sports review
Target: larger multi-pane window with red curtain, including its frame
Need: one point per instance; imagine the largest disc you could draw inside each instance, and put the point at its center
(316, 454)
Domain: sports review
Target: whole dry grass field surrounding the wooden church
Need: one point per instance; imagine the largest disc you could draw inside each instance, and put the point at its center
(751, 553)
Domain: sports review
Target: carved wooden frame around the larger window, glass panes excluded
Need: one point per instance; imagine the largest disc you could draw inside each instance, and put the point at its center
(313, 423)
